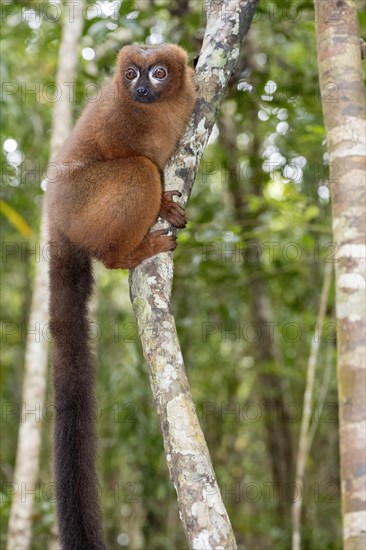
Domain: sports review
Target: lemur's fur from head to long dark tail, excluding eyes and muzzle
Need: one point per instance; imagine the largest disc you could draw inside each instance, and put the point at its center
(102, 199)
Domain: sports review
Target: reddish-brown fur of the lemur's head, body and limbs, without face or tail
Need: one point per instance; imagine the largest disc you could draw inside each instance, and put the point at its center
(107, 191)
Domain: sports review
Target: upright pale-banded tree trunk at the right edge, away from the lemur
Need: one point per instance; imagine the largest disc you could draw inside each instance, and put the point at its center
(339, 61)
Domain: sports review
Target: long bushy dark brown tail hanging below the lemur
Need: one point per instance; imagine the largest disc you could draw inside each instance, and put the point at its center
(78, 511)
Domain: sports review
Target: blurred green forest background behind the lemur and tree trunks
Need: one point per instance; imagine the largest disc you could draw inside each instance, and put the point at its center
(249, 271)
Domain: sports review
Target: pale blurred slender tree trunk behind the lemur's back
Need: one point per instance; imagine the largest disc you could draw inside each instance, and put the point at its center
(36, 352)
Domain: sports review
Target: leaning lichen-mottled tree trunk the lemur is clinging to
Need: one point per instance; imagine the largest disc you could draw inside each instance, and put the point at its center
(204, 517)
